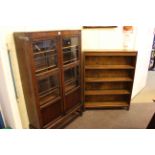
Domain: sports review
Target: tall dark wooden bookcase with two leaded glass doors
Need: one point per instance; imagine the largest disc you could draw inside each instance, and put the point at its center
(50, 70)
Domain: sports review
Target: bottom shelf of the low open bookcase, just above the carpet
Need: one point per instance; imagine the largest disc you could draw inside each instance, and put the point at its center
(106, 104)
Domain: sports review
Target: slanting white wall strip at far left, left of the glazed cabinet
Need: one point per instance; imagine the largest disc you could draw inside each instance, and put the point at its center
(7, 96)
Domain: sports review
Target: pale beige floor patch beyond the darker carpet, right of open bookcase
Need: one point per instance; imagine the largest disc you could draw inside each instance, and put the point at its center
(148, 93)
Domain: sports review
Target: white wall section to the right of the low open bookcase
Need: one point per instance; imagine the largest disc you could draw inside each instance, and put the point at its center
(143, 43)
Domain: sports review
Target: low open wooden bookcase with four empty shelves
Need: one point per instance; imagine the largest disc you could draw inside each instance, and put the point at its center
(108, 78)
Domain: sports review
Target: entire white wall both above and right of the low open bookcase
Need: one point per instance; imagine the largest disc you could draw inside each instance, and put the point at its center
(113, 39)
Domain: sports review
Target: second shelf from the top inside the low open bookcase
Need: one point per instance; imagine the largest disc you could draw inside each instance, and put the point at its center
(108, 79)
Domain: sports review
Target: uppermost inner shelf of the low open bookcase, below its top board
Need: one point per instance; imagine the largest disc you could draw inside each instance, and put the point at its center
(109, 67)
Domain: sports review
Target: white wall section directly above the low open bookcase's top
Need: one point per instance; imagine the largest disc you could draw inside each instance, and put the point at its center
(103, 38)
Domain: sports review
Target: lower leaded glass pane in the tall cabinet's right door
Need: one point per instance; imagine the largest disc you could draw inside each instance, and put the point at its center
(71, 78)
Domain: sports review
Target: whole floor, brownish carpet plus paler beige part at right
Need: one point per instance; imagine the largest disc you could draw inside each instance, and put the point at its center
(138, 117)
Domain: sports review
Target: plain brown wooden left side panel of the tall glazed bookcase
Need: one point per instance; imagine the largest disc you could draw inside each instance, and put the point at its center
(23, 57)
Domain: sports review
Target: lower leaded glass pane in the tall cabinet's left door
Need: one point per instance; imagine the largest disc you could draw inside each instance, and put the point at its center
(48, 88)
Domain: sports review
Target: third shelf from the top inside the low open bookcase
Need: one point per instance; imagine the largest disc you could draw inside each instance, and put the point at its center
(106, 92)
